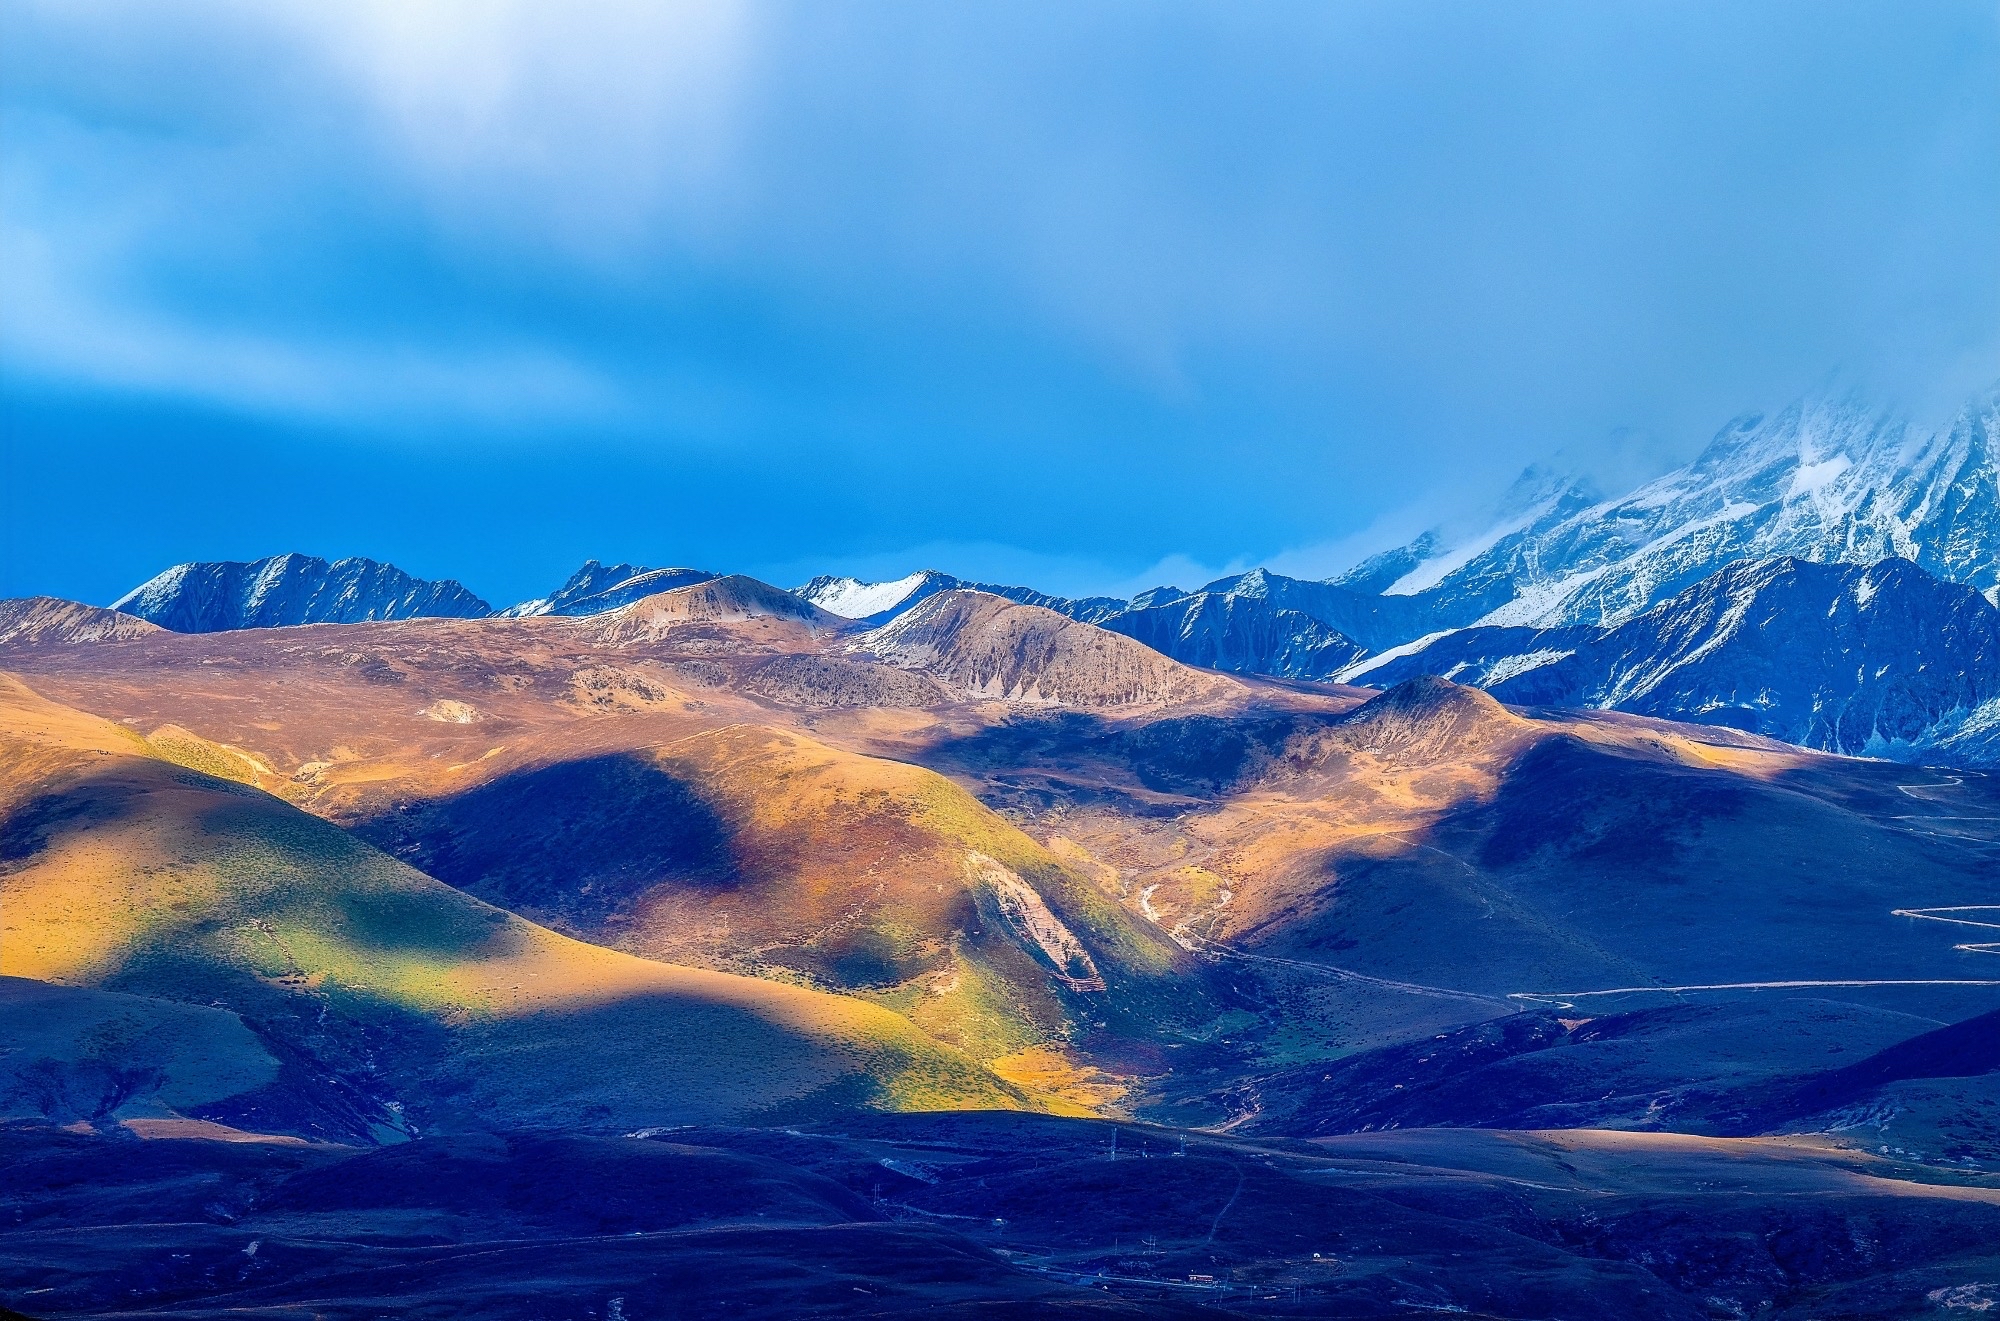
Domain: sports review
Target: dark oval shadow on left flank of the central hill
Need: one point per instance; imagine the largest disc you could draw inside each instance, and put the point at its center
(577, 838)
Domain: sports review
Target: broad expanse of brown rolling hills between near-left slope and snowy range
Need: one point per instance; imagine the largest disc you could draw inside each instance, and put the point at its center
(1161, 894)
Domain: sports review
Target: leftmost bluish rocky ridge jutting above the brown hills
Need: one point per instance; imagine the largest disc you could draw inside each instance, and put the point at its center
(293, 589)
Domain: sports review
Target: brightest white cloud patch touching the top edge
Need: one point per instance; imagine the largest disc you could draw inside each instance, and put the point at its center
(585, 125)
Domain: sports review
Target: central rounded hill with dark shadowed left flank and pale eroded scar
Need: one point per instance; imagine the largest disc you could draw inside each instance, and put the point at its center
(767, 852)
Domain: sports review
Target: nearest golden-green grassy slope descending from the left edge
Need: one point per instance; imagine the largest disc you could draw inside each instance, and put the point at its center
(131, 874)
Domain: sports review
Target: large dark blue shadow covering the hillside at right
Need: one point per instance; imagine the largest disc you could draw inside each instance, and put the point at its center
(1589, 868)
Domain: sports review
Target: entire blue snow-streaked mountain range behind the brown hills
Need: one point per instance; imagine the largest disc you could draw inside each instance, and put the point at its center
(1561, 595)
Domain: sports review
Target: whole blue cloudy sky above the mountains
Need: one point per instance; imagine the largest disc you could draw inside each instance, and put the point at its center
(1083, 295)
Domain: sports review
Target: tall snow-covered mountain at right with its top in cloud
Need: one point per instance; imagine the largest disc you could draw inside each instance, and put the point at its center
(1827, 479)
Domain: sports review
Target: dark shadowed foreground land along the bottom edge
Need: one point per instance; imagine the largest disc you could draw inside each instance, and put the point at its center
(989, 1216)
